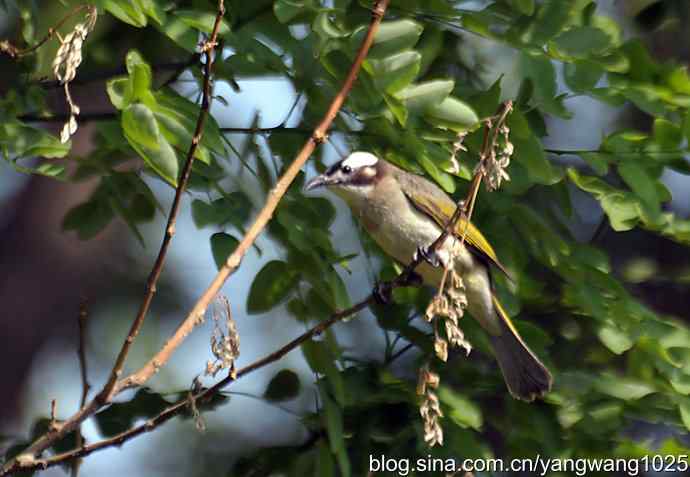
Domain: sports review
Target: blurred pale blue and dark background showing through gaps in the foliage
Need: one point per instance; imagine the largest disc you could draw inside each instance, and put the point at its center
(45, 272)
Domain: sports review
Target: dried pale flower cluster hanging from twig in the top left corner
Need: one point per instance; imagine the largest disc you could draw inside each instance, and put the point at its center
(67, 60)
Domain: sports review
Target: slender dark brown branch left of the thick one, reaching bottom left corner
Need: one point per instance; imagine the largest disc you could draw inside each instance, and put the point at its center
(108, 391)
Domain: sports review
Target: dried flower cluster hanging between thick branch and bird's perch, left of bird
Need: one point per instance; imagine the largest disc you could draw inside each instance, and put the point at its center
(225, 346)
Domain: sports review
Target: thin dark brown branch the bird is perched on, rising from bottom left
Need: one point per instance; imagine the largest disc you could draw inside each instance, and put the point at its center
(403, 279)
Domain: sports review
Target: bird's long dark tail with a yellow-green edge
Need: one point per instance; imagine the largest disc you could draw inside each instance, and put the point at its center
(526, 377)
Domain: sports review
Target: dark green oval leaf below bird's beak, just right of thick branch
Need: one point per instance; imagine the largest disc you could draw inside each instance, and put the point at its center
(271, 285)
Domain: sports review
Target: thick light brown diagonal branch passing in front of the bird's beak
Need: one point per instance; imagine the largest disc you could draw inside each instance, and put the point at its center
(274, 197)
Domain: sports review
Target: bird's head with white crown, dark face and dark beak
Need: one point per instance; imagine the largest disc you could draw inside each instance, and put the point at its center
(357, 174)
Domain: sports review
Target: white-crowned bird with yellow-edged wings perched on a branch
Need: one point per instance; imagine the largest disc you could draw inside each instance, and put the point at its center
(405, 213)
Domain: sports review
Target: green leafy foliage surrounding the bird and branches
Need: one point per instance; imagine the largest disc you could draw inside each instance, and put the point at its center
(616, 362)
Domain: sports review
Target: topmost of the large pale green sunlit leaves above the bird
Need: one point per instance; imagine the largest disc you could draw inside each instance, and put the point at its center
(392, 37)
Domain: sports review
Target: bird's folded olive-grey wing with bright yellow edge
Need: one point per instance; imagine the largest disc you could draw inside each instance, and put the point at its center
(432, 201)
